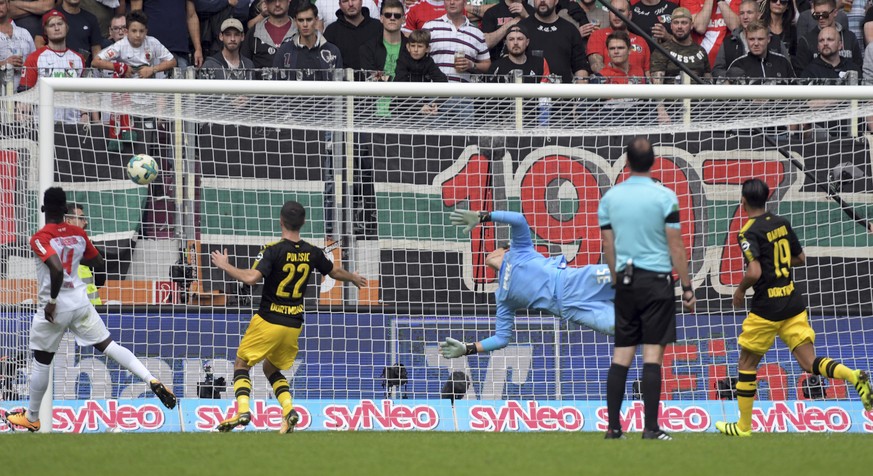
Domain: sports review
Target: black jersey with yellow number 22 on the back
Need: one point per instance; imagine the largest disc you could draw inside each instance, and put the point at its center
(286, 266)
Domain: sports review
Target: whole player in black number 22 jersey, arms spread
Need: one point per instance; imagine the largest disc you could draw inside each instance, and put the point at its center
(285, 267)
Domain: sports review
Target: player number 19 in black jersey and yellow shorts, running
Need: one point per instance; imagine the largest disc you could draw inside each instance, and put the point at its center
(771, 249)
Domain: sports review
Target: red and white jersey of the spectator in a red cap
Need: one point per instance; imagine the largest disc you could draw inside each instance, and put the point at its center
(46, 62)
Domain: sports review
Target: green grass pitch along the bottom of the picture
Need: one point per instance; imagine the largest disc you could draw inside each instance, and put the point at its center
(444, 454)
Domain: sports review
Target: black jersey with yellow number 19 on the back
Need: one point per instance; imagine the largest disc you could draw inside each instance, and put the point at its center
(770, 240)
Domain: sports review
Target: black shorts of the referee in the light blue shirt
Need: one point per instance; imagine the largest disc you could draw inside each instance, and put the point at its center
(645, 310)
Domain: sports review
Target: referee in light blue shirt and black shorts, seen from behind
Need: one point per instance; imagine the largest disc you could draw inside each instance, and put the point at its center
(642, 243)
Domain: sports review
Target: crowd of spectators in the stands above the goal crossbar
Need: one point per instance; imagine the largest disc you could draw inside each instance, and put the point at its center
(766, 41)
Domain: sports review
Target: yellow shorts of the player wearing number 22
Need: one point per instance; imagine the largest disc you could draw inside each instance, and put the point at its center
(275, 343)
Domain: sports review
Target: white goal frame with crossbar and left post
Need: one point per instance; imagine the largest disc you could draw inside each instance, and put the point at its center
(48, 87)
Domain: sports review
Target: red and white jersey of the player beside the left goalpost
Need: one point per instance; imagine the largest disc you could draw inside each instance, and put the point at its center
(71, 244)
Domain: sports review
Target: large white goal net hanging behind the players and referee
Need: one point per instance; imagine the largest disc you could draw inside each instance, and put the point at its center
(378, 168)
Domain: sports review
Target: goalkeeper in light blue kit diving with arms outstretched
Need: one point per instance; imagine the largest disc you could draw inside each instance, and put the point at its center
(528, 280)
